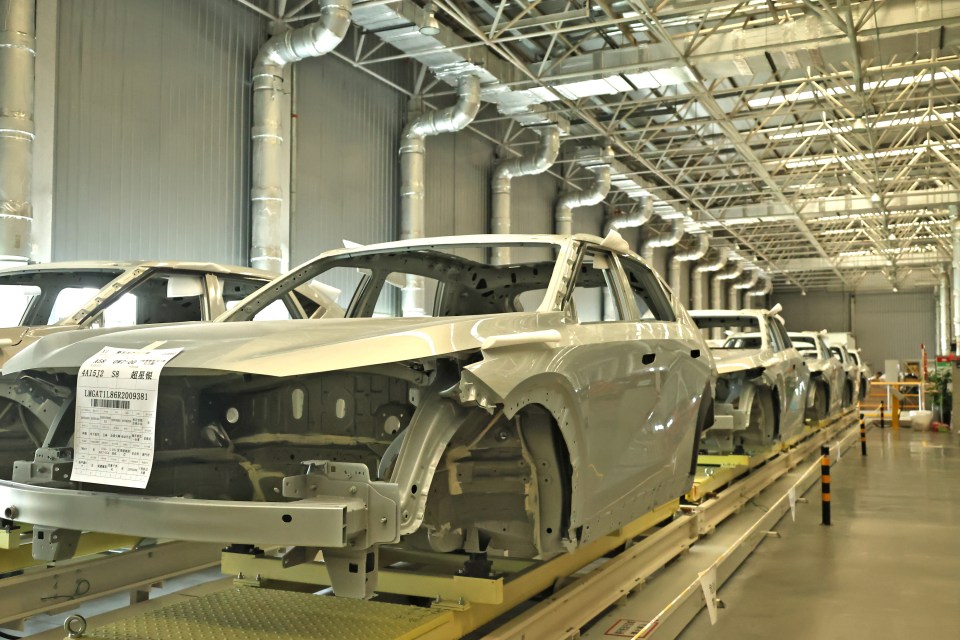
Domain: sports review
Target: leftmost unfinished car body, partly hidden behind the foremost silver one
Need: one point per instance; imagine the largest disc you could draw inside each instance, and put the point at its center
(45, 299)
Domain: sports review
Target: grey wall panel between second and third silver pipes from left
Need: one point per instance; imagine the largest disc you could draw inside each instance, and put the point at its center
(347, 174)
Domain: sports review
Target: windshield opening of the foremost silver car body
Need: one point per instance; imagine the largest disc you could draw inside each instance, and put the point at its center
(429, 281)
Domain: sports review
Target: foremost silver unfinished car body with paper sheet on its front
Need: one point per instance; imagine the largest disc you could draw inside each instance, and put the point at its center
(510, 419)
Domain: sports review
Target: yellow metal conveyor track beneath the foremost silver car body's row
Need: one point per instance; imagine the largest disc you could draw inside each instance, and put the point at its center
(462, 606)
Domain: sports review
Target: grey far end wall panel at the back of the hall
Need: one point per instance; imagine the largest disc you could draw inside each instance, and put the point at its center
(891, 326)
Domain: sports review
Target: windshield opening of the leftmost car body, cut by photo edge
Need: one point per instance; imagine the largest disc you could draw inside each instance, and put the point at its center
(40, 298)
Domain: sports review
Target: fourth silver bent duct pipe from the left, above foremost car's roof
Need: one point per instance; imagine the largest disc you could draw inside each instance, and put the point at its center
(533, 163)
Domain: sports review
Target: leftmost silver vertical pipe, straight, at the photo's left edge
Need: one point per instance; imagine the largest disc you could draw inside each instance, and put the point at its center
(17, 59)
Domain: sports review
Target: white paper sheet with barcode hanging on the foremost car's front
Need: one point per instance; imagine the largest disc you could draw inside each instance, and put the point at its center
(117, 415)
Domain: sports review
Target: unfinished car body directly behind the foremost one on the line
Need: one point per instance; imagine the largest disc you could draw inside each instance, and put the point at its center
(763, 384)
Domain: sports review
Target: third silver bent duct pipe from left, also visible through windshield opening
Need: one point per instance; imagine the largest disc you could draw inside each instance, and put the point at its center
(413, 172)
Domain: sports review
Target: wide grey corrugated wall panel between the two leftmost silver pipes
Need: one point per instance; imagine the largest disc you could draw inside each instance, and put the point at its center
(152, 118)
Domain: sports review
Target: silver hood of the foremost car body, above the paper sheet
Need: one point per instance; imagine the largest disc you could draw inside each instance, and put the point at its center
(284, 347)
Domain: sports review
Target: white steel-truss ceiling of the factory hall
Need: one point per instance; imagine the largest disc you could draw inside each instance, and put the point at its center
(819, 137)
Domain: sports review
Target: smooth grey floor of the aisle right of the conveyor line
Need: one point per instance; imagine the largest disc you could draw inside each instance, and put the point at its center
(888, 567)
